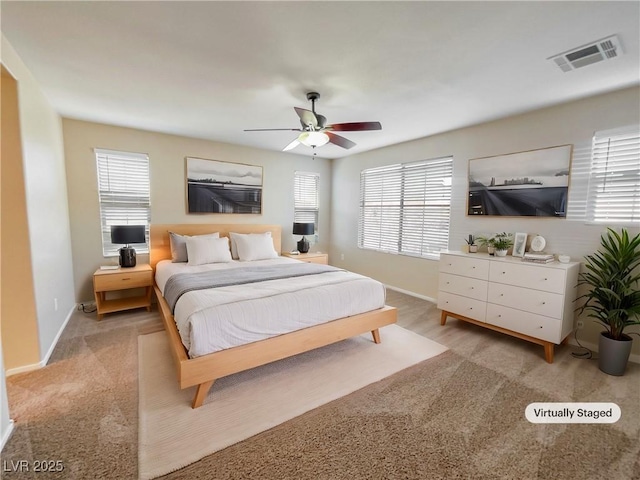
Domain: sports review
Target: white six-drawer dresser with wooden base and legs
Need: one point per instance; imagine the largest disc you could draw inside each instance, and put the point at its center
(534, 302)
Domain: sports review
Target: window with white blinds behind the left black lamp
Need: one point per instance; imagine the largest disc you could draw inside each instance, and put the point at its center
(123, 190)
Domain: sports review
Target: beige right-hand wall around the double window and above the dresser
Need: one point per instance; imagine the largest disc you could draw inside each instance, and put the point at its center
(571, 123)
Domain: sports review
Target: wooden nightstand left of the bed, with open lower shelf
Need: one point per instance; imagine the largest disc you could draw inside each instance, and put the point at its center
(140, 276)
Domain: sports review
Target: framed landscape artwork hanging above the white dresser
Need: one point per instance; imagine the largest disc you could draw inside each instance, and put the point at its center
(533, 183)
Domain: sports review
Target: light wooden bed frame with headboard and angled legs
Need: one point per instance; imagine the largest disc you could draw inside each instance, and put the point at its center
(203, 371)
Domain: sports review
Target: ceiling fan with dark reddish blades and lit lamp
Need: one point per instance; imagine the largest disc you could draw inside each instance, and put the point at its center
(314, 129)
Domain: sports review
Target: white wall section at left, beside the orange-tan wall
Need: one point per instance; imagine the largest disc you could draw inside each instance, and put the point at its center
(45, 198)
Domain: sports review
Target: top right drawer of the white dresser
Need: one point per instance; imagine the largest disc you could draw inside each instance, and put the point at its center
(528, 276)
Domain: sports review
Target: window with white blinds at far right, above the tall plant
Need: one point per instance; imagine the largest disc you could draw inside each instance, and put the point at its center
(614, 180)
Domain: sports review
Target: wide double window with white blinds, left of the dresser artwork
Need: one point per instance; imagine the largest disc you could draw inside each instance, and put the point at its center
(406, 208)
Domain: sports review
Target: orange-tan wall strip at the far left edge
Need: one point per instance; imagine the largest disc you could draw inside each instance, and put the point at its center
(18, 306)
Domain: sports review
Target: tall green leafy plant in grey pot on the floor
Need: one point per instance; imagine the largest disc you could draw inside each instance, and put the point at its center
(613, 300)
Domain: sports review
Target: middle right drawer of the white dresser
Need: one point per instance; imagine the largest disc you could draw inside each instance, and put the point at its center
(533, 301)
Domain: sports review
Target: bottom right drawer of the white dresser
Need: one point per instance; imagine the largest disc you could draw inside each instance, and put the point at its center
(536, 326)
